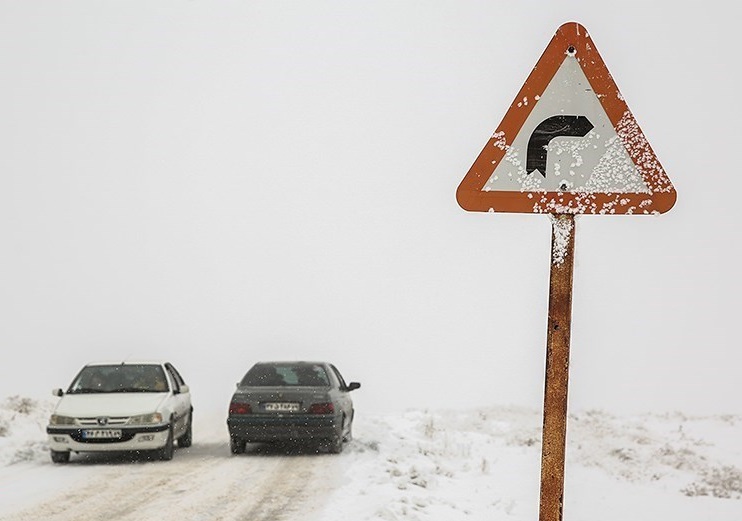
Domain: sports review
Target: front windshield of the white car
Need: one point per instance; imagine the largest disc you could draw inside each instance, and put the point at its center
(122, 378)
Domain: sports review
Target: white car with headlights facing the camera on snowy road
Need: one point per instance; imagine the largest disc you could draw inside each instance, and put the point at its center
(122, 406)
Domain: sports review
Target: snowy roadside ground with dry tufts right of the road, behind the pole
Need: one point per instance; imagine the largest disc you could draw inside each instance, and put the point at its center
(454, 465)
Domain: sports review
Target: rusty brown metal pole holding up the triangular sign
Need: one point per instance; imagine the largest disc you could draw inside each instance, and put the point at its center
(554, 432)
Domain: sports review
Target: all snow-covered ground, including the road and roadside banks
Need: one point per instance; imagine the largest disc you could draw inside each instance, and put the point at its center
(481, 464)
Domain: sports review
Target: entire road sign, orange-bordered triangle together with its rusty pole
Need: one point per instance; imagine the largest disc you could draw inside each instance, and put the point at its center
(568, 145)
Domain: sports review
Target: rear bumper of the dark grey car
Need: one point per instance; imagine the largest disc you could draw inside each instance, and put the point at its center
(289, 427)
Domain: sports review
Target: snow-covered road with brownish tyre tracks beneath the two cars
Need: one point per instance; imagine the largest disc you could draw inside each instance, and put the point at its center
(202, 483)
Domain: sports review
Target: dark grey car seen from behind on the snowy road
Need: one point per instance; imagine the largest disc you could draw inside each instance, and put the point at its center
(291, 402)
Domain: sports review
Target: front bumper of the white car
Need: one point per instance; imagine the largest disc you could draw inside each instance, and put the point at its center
(62, 439)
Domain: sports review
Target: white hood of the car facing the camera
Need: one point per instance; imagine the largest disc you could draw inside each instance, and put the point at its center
(109, 404)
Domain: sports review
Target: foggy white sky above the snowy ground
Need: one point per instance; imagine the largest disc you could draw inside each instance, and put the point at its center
(217, 183)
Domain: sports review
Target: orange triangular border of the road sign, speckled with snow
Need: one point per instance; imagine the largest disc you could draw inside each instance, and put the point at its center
(573, 38)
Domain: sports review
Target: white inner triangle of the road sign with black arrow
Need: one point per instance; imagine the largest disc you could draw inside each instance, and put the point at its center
(567, 144)
